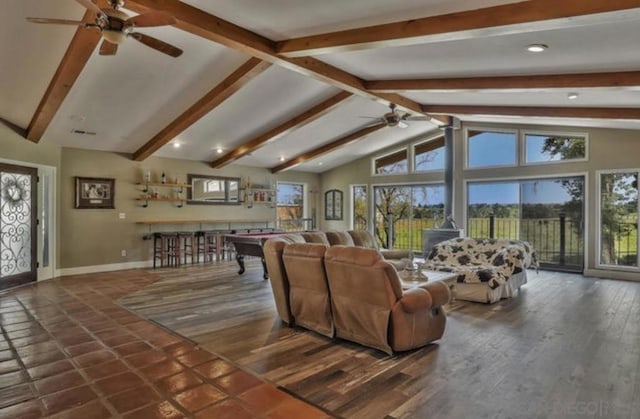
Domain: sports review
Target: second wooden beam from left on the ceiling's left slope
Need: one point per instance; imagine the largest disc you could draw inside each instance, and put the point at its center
(216, 96)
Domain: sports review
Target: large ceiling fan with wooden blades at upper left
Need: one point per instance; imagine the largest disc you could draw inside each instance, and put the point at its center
(115, 26)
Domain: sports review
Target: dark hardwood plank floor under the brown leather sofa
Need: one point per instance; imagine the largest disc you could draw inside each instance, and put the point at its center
(568, 346)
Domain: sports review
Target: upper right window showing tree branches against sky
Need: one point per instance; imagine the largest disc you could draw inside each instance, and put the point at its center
(542, 148)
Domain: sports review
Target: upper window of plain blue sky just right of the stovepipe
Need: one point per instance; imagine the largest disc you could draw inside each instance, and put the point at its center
(491, 148)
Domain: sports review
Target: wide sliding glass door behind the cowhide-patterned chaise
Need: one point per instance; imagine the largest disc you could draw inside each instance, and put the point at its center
(547, 212)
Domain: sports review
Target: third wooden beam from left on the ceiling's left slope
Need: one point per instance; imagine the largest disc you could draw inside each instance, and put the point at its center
(287, 127)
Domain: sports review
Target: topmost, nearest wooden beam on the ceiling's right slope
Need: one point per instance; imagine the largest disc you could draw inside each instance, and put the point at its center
(523, 16)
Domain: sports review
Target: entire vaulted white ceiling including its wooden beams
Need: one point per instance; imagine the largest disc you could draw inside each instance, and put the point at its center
(286, 84)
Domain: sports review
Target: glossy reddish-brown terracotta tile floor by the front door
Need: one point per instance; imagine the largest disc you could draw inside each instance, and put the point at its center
(68, 351)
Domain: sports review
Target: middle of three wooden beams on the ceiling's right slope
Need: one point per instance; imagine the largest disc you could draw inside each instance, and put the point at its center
(610, 79)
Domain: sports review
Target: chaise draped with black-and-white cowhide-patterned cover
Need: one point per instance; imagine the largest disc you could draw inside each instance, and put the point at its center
(488, 269)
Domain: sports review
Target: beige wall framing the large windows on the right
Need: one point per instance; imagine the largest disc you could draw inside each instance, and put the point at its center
(608, 149)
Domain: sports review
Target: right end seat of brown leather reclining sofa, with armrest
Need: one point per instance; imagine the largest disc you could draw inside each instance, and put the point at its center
(369, 306)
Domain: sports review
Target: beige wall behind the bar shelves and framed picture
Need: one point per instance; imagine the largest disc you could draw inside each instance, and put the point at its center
(103, 234)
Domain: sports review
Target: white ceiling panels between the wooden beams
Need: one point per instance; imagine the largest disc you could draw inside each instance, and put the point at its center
(128, 98)
